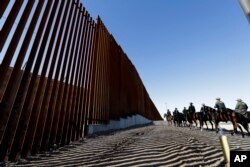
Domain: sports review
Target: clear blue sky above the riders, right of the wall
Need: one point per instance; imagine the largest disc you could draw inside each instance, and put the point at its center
(184, 50)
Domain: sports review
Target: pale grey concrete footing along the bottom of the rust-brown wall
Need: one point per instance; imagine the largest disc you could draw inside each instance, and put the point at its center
(123, 123)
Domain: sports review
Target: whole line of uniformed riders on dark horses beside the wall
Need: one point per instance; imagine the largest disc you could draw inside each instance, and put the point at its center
(239, 116)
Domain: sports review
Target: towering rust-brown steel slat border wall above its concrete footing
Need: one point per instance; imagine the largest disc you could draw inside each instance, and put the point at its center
(61, 71)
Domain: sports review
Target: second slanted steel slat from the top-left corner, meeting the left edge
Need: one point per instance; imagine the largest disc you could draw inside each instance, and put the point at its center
(9, 23)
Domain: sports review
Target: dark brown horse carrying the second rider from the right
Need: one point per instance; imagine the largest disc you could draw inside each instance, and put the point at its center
(226, 115)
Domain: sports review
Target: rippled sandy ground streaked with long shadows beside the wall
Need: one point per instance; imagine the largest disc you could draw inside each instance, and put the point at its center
(152, 145)
